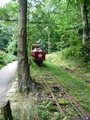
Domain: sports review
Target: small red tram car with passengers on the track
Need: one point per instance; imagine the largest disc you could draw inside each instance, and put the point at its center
(37, 54)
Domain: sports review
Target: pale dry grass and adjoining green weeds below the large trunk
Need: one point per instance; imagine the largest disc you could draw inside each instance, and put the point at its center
(28, 108)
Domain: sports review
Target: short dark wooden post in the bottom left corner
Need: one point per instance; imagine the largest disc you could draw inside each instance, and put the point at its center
(6, 111)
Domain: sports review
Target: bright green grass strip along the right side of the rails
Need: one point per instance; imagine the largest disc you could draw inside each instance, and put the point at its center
(77, 87)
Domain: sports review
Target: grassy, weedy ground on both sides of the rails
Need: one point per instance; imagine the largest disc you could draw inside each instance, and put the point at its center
(38, 105)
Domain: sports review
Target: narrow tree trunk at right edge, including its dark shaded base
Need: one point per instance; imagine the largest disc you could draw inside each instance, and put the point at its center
(86, 46)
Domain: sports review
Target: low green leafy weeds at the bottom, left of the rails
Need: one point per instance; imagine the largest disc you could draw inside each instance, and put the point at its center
(46, 109)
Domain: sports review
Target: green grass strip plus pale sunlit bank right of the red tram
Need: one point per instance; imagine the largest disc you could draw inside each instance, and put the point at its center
(76, 86)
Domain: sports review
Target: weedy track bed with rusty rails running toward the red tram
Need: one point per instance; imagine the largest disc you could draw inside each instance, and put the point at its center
(62, 102)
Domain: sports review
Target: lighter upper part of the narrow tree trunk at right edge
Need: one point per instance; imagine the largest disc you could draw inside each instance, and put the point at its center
(85, 24)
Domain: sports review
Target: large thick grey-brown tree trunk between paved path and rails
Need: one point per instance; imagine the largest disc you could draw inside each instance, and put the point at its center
(24, 79)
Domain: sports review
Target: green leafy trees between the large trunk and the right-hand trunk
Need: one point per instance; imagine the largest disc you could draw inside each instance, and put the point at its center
(57, 25)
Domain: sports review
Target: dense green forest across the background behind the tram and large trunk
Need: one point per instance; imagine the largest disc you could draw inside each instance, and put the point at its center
(57, 25)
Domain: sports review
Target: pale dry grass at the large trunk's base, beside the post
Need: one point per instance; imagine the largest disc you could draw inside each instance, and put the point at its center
(25, 109)
